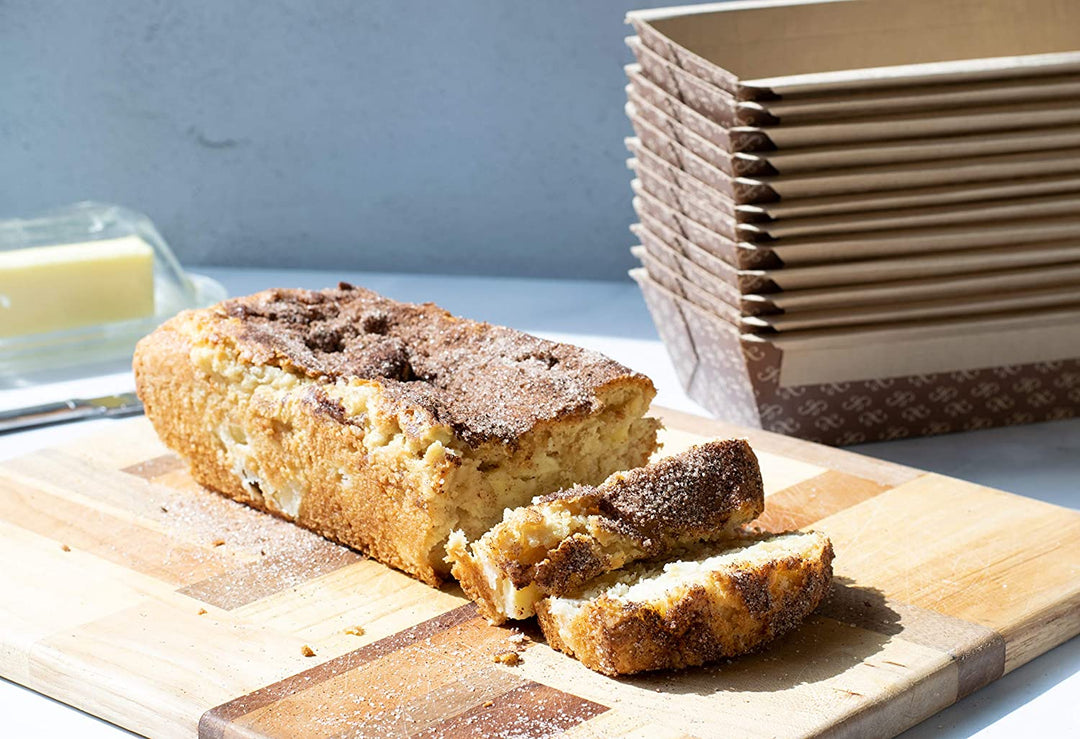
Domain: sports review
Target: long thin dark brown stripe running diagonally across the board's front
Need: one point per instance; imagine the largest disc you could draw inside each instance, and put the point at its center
(214, 722)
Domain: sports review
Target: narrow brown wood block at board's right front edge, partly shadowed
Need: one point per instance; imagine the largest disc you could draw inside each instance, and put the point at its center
(979, 652)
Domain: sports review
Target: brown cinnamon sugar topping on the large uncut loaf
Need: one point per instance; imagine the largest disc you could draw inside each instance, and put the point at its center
(483, 381)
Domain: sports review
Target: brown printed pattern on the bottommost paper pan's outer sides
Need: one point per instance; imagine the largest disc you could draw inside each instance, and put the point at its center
(740, 382)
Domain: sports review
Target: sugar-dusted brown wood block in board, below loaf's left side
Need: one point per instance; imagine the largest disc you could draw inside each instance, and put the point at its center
(269, 575)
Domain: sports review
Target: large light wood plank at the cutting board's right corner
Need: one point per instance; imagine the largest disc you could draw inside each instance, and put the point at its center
(1009, 563)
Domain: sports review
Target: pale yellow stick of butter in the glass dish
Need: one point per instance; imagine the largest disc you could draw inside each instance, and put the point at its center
(46, 289)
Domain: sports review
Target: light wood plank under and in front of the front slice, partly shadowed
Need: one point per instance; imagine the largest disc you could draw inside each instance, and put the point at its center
(805, 686)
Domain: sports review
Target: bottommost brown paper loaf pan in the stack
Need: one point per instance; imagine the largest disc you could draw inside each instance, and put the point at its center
(848, 387)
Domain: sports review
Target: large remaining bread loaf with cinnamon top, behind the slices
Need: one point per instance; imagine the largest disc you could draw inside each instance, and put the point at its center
(384, 425)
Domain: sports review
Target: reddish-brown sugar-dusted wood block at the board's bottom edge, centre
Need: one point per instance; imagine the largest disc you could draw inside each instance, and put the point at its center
(531, 711)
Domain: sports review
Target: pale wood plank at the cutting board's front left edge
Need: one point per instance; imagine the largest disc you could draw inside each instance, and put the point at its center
(156, 667)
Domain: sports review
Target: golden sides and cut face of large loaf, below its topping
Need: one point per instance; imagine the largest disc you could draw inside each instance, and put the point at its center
(301, 454)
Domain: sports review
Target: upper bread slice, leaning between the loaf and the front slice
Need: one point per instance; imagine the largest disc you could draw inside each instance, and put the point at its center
(568, 539)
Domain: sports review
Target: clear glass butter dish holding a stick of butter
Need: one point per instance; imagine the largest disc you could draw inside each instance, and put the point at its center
(84, 284)
